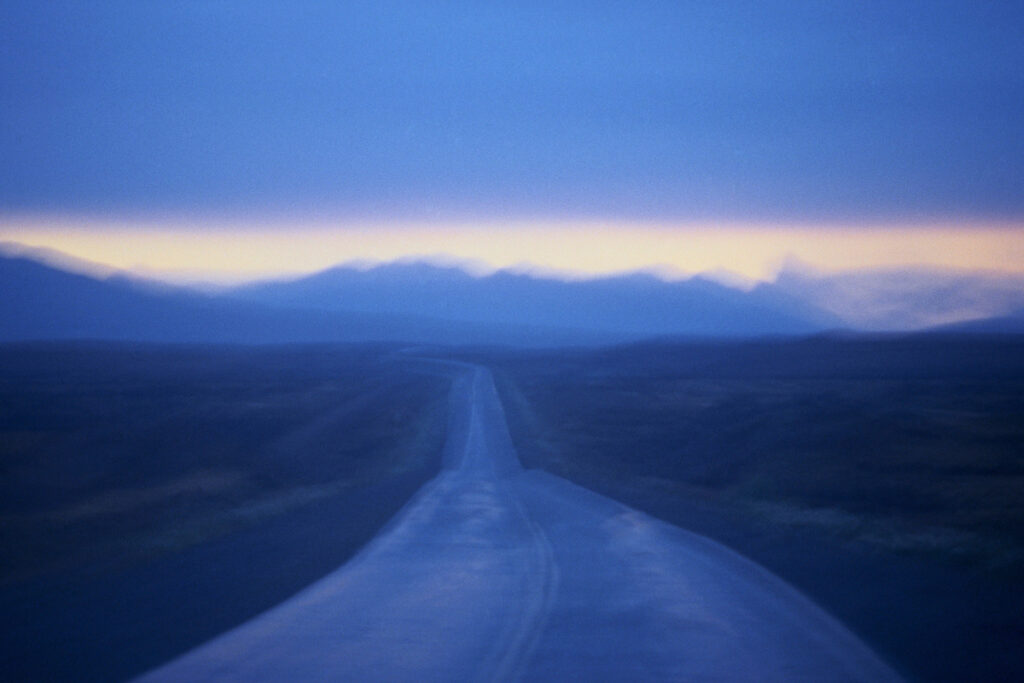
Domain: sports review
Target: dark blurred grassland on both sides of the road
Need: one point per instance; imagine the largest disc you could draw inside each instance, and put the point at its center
(153, 497)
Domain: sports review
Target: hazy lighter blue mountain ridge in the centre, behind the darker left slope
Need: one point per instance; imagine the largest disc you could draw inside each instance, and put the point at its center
(635, 306)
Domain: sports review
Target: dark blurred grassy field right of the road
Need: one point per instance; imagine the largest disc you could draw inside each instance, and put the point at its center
(885, 478)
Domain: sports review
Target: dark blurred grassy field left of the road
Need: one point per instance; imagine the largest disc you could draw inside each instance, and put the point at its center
(153, 497)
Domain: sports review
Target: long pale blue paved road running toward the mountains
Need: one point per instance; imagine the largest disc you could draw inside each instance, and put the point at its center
(493, 573)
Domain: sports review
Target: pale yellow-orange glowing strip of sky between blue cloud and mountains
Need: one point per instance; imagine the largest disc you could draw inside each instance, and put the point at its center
(234, 252)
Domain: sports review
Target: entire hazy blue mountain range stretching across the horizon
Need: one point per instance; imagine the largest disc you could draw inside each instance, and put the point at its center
(418, 303)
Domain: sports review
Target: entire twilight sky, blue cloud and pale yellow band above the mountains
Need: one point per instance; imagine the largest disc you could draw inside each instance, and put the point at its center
(364, 123)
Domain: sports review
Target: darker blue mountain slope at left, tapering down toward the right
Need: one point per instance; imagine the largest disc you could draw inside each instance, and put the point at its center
(42, 303)
